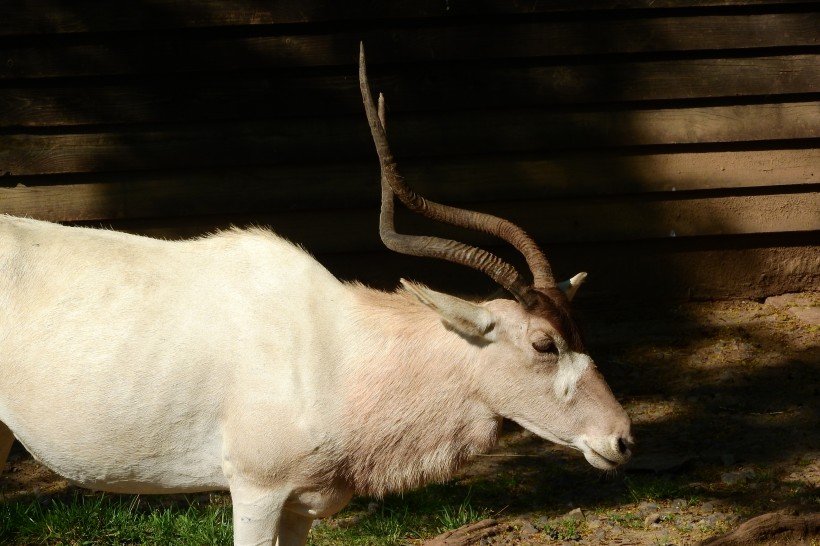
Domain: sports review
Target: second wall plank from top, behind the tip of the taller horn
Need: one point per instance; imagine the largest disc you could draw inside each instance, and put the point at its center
(180, 52)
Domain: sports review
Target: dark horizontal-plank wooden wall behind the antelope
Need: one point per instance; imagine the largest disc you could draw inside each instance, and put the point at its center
(671, 148)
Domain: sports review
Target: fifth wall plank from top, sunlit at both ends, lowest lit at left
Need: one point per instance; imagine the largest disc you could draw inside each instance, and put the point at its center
(355, 185)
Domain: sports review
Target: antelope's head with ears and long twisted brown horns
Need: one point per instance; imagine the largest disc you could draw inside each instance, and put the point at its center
(541, 375)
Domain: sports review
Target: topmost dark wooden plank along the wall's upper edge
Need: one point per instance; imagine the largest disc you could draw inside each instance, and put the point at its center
(22, 17)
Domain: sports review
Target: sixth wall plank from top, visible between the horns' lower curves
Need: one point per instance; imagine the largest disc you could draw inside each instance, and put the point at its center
(557, 221)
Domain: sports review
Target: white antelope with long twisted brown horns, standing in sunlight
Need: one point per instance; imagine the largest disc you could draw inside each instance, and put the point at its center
(237, 362)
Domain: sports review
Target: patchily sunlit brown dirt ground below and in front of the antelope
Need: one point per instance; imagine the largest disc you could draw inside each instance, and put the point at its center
(725, 401)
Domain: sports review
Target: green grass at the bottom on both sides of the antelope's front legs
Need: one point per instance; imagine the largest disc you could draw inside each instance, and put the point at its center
(91, 519)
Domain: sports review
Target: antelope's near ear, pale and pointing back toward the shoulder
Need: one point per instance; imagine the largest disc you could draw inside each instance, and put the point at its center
(468, 319)
